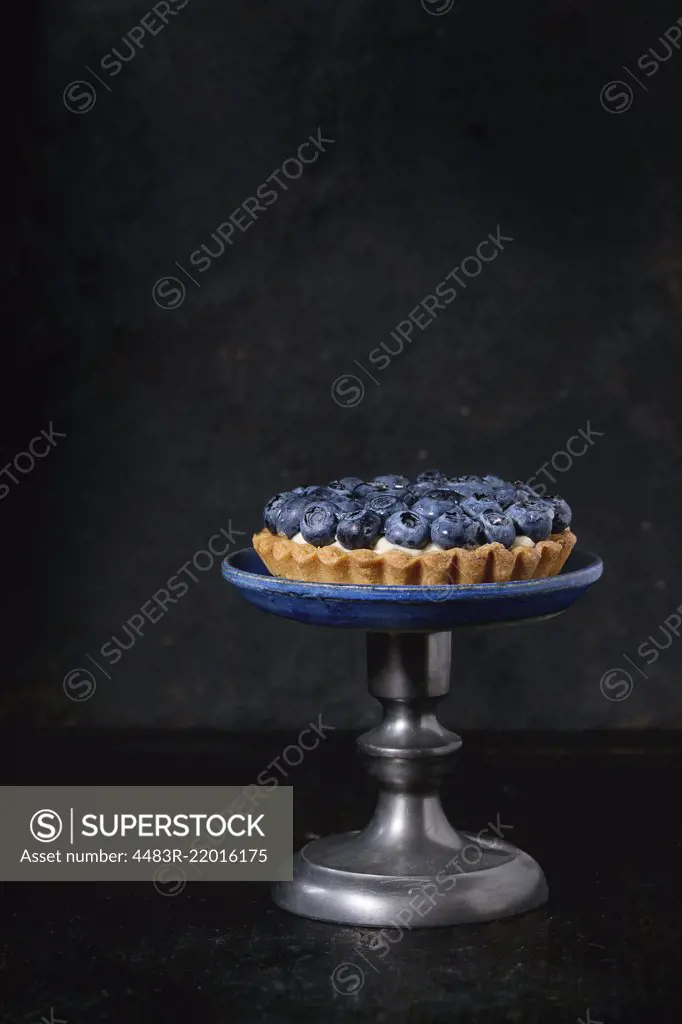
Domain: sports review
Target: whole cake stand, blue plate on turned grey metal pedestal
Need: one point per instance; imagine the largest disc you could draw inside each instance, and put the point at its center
(409, 851)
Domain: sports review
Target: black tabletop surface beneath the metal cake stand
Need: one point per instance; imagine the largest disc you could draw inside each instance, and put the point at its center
(603, 814)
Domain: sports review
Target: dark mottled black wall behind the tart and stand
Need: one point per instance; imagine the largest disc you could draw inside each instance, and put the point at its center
(182, 421)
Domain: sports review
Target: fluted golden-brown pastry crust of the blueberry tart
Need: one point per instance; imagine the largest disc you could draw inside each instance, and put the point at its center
(489, 564)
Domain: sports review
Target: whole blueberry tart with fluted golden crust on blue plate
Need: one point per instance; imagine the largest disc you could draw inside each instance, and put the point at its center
(435, 530)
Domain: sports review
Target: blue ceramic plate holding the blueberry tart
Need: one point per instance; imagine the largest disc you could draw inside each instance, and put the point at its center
(366, 608)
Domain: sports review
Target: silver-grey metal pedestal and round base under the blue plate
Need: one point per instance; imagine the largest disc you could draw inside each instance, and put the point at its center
(383, 875)
